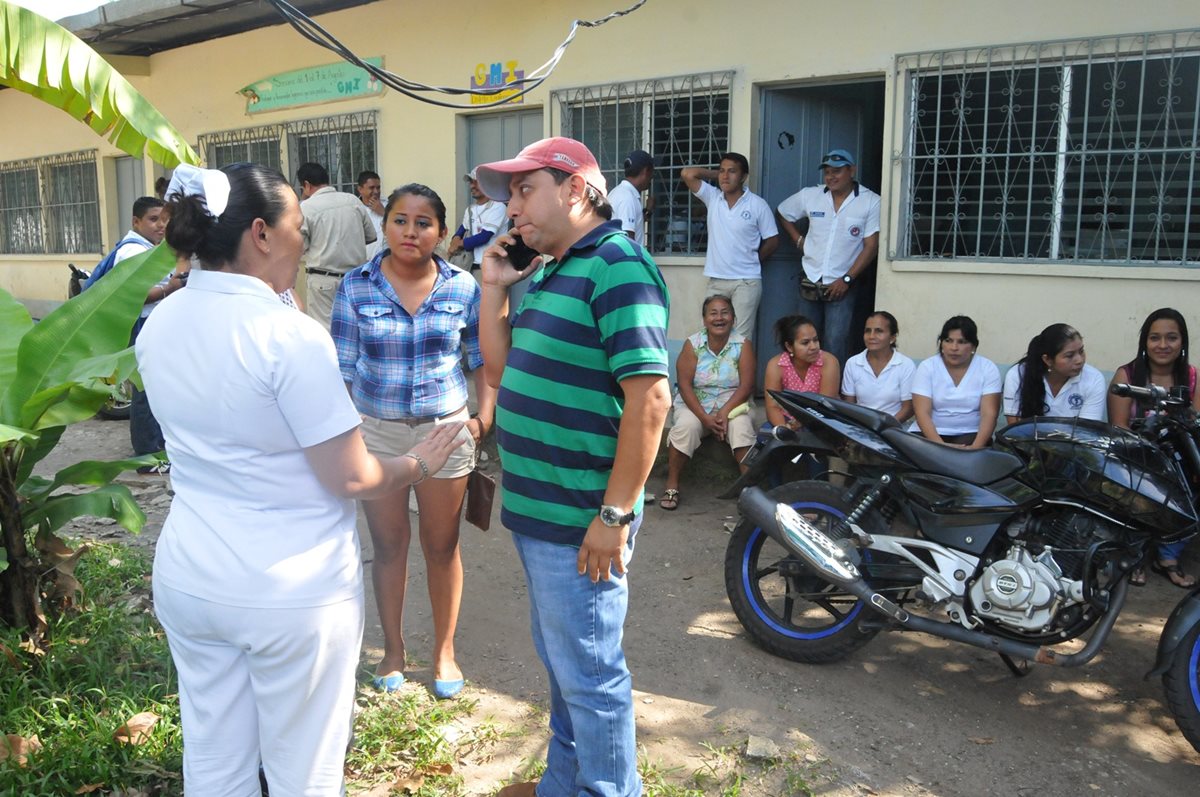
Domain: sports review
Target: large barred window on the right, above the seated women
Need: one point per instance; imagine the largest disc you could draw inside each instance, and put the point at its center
(1061, 152)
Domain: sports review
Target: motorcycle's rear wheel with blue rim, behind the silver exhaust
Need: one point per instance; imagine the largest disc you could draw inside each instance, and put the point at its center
(783, 604)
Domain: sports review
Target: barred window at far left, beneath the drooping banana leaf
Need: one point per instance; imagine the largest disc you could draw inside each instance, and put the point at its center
(50, 206)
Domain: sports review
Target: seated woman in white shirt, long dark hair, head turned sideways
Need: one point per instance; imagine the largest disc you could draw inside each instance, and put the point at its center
(1069, 388)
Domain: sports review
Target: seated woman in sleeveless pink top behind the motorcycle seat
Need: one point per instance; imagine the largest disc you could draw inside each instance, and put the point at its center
(803, 367)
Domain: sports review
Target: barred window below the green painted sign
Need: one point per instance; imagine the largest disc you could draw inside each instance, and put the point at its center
(344, 145)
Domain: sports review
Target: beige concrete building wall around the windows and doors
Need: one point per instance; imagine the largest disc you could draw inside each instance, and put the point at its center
(766, 43)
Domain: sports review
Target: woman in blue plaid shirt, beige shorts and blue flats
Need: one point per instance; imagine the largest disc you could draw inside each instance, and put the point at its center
(400, 325)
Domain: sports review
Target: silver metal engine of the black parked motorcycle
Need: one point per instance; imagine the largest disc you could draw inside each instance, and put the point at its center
(1024, 591)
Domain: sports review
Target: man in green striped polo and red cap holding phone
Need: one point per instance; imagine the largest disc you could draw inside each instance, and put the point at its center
(583, 375)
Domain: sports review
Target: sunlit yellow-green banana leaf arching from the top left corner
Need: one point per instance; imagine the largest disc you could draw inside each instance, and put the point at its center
(46, 61)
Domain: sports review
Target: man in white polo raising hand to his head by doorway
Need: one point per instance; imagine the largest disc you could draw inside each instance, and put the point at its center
(742, 235)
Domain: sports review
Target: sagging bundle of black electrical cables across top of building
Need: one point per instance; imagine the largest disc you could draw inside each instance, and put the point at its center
(319, 35)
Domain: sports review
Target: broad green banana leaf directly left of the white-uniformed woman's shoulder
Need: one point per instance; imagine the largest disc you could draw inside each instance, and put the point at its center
(95, 323)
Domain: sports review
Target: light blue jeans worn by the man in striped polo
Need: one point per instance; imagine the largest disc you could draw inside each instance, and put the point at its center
(577, 630)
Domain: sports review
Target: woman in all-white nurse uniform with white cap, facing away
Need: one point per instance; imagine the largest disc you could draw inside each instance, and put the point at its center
(257, 574)
